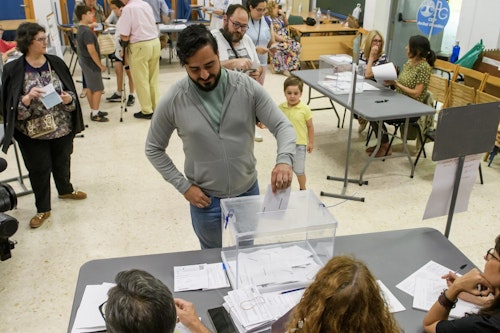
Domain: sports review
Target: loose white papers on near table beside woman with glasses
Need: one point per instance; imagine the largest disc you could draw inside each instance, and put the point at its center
(426, 284)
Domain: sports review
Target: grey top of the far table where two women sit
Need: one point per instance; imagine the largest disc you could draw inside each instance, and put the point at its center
(396, 105)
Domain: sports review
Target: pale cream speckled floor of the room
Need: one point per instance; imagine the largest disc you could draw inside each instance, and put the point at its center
(131, 210)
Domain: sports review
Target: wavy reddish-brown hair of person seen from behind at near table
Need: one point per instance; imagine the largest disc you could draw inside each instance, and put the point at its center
(344, 297)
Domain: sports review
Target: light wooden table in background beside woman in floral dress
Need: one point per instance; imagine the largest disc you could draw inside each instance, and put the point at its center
(323, 39)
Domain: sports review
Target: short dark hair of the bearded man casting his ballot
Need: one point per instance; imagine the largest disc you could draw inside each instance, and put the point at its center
(193, 38)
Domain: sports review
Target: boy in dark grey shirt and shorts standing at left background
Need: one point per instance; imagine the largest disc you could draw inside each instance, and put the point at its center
(90, 61)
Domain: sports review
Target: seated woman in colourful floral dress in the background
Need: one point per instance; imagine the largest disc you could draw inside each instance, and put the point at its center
(287, 55)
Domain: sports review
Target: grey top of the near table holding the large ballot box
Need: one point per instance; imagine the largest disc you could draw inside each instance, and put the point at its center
(391, 256)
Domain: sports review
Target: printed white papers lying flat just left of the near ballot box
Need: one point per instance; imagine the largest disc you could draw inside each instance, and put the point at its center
(200, 277)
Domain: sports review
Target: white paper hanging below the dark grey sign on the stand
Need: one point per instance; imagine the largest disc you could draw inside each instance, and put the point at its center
(442, 186)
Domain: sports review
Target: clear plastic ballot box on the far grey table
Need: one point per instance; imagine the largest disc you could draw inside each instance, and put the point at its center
(336, 73)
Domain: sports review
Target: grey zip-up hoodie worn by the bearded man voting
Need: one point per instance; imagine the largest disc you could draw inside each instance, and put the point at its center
(221, 163)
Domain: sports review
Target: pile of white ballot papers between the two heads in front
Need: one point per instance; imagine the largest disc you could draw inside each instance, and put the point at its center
(253, 311)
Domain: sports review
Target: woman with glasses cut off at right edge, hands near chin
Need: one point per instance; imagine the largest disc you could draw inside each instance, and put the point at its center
(476, 287)
